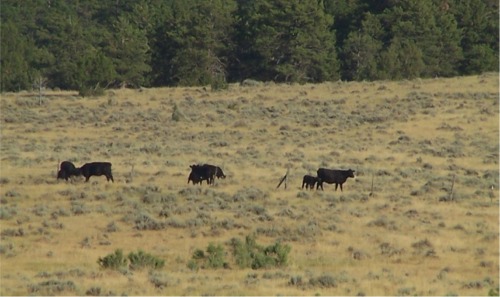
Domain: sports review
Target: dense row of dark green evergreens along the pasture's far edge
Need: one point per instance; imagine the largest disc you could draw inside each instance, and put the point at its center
(90, 45)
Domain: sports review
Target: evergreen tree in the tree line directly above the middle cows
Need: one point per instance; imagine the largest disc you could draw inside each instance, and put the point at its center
(193, 43)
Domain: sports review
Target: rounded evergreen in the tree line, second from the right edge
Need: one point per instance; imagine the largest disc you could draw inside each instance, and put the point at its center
(419, 29)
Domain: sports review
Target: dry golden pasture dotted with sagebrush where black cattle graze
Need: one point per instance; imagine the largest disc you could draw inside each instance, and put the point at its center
(420, 218)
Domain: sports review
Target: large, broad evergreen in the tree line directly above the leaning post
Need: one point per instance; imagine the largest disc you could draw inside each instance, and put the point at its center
(290, 41)
